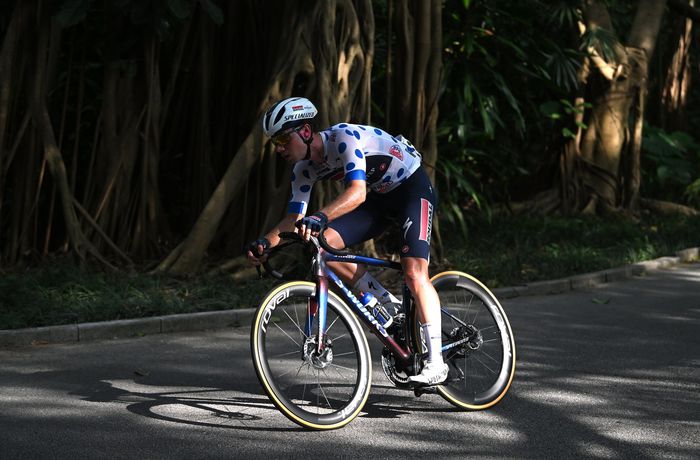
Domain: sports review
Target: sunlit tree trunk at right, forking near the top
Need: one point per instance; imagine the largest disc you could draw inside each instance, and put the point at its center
(608, 165)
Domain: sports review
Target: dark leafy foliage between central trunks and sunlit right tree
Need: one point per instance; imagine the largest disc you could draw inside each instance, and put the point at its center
(499, 67)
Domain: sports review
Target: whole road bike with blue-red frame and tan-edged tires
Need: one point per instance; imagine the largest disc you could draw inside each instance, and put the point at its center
(311, 354)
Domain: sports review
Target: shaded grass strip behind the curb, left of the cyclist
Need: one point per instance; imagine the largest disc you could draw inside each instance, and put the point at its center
(64, 294)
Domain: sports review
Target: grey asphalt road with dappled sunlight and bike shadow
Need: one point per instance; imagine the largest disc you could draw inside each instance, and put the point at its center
(610, 372)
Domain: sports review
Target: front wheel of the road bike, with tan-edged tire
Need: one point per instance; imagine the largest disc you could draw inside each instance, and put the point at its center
(319, 393)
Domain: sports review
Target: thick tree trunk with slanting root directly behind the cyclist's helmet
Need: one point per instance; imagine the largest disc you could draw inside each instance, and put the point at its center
(339, 61)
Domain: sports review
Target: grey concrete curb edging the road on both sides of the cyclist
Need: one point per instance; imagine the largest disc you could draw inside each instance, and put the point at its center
(242, 317)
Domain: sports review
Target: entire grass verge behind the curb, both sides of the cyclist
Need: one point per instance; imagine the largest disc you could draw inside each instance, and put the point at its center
(505, 251)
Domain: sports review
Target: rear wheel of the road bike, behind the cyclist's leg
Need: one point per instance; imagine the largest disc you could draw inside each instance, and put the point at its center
(483, 367)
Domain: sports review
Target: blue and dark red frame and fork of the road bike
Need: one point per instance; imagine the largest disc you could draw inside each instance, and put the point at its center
(325, 275)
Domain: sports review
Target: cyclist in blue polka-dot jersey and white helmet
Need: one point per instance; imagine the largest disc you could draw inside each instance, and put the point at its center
(363, 157)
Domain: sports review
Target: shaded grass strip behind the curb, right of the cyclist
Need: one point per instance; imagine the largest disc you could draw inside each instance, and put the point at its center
(508, 251)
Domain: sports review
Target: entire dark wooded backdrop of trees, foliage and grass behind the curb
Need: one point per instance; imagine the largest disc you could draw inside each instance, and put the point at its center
(132, 163)
